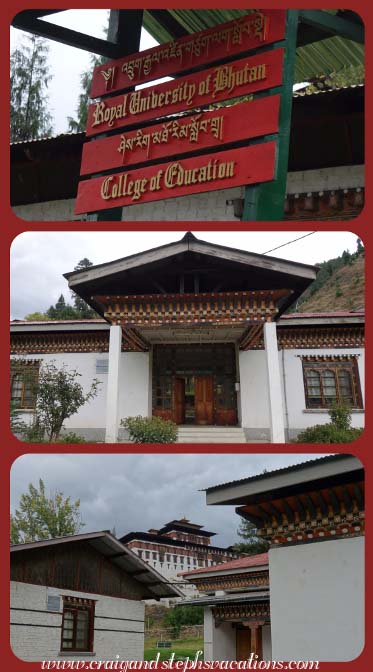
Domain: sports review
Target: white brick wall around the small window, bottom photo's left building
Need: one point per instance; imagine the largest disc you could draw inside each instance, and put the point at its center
(36, 632)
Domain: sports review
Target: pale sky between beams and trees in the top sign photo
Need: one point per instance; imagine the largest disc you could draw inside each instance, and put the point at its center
(67, 63)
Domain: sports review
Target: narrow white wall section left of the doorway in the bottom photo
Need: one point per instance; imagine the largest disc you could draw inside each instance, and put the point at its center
(220, 642)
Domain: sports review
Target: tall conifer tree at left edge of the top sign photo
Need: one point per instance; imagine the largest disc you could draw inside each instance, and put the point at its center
(29, 78)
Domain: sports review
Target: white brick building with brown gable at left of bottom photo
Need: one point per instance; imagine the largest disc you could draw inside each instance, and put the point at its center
(80, 598)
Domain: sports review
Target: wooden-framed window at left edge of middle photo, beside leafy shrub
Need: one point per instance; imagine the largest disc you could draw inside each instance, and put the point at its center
(23, 378)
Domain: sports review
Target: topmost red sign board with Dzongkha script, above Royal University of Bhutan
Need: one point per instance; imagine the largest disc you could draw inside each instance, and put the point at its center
(192, 51)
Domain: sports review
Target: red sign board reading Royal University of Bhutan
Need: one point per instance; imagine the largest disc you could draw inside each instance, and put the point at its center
(242, 77)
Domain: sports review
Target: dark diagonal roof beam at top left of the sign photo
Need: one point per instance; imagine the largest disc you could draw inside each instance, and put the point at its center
(28, 22)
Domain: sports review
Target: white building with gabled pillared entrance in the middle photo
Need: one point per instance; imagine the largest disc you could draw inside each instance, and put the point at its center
(197, 333)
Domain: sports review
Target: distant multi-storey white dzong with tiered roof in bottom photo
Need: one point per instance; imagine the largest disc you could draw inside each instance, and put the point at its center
(178, 546)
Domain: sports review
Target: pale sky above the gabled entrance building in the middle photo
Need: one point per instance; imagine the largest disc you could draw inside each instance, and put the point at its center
(38, 260)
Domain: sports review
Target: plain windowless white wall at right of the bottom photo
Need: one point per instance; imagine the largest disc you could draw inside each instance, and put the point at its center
(317, 600)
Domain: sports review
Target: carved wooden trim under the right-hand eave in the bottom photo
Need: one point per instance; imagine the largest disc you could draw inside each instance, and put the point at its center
(330, 513)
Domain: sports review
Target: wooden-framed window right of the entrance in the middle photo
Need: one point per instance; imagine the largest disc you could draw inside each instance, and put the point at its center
(331, 380)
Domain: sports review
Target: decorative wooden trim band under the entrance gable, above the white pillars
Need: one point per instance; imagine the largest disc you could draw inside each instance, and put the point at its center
(215, 308)
